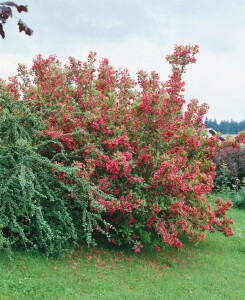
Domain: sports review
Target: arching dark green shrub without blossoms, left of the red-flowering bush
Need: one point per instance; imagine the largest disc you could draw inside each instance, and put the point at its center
(37, 210)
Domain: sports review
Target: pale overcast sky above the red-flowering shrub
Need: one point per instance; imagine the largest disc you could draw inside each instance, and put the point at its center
(137, 34)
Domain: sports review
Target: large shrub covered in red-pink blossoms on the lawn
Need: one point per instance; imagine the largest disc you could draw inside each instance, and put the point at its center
(148, 159)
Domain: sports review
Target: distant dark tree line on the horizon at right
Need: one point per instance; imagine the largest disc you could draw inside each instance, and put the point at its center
(225, 127)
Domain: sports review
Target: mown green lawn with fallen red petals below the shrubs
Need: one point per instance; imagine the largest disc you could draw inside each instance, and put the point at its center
(212, 269)
